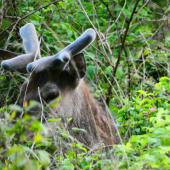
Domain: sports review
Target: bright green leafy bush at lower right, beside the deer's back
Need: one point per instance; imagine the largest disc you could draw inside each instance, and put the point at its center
(149, 143)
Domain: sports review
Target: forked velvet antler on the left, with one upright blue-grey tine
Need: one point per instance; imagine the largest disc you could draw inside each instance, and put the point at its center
(31, 45)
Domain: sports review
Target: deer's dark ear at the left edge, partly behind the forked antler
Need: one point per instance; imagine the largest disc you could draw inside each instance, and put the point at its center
(5, 55)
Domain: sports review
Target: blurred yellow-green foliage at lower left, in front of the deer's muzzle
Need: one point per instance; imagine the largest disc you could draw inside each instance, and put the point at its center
(20, 151)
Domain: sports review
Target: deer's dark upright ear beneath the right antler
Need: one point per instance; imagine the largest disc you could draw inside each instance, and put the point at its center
(80, 64)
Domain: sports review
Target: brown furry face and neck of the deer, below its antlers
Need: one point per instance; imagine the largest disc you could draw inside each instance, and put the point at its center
(77, 103)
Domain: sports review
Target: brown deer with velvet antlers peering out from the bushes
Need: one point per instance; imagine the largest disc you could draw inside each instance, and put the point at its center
(62, 76)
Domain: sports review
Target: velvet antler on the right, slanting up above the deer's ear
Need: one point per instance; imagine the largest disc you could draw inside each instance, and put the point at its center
(59, 60)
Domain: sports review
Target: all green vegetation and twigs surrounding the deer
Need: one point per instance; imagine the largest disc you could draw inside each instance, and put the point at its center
(127, 69)
